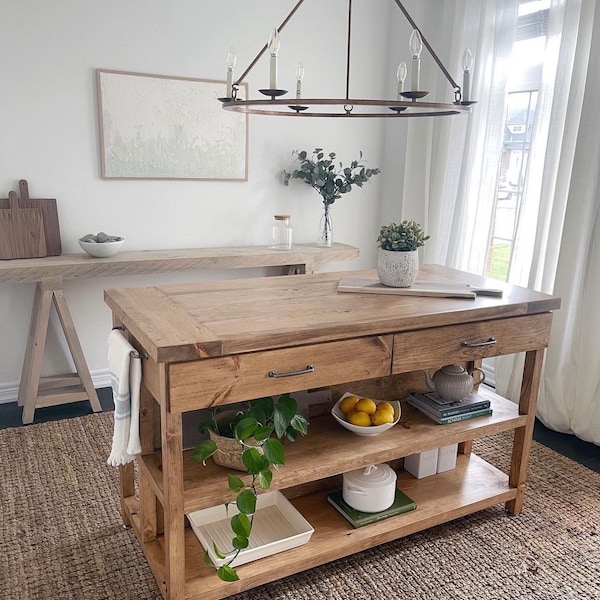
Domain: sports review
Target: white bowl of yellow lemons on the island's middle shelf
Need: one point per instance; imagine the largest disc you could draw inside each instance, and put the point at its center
(366, 416)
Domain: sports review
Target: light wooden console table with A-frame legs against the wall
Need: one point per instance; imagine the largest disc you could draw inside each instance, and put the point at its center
(49, 273)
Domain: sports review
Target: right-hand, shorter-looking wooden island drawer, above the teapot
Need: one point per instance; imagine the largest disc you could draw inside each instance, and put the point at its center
(469, 341)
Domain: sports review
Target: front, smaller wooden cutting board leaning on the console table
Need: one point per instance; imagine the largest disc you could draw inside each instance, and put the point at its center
(21, 231)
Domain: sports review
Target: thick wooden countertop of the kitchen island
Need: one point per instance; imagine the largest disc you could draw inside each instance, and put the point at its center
(199, 320)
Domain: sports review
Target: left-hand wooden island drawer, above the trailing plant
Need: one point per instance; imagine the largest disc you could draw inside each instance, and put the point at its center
(226, 379)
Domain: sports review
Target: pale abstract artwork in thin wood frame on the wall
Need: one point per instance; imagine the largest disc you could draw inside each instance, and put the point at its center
(157, 127)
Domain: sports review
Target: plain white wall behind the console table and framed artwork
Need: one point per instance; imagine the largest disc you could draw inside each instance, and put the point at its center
(49, 135)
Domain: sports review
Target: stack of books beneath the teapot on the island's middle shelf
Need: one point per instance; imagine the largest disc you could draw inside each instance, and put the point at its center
(445, 412)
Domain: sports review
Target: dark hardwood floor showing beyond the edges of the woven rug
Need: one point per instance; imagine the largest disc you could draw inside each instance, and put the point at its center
(585, 453)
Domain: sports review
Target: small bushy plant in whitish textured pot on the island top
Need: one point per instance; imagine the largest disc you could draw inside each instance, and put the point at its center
(398, 258)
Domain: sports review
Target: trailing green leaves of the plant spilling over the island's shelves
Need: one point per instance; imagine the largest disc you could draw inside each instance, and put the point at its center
(258, 428)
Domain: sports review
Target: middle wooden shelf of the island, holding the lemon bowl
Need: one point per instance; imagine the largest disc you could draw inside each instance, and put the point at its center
(329, 450)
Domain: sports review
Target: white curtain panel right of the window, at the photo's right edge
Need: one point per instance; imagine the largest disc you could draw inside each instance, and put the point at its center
(561, 202)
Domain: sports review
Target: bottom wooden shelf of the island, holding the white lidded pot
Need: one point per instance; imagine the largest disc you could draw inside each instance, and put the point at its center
(472, 486)
